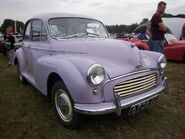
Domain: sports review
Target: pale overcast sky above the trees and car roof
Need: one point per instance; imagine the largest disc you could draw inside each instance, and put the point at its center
(110, 12)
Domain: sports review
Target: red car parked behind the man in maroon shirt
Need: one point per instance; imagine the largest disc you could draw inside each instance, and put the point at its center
(174, 49)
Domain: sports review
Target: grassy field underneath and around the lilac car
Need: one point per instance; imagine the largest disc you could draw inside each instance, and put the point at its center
(25, 113)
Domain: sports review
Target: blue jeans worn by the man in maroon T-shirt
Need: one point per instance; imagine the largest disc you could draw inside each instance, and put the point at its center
(156, 45)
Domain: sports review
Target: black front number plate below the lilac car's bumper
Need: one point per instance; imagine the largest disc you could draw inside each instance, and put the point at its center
(141, 106)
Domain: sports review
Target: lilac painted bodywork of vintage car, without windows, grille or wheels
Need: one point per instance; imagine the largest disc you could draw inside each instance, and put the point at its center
(71, 58)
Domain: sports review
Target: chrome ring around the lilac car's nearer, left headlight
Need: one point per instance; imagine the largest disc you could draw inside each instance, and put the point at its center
(89, 74)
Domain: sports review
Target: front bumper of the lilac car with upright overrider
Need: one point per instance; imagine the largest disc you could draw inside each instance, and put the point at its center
(118, 104)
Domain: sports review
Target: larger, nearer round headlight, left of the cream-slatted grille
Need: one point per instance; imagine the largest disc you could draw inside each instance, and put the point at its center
(95, 74)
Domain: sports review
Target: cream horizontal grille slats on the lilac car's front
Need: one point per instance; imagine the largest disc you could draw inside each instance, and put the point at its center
(135, 85)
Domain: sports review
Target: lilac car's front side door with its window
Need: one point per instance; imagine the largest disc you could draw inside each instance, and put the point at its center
(39, 46)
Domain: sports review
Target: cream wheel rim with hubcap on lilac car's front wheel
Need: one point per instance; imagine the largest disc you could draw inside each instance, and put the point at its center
(63, 105)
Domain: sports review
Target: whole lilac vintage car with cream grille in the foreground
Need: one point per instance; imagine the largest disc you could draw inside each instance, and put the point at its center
(72, 59)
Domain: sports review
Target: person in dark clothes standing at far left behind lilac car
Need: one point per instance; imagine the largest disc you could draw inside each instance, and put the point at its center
(9, 44)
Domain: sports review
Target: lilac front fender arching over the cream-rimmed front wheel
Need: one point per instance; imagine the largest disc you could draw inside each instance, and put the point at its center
(72, 75)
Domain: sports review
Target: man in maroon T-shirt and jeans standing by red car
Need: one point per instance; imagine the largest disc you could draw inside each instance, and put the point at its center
(157, 29)
